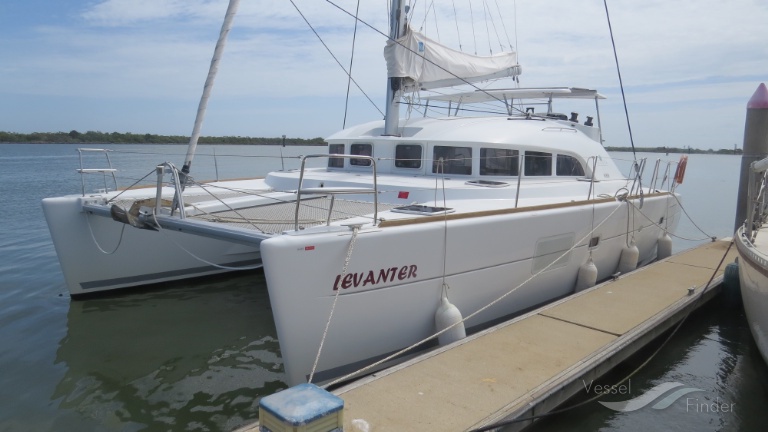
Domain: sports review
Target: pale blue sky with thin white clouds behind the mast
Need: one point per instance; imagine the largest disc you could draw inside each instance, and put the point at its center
(688, 66)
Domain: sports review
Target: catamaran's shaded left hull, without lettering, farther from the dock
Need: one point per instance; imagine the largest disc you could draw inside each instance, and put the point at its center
(97, 253)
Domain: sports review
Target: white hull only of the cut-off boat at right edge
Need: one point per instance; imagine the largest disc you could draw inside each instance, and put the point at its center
(753, 279)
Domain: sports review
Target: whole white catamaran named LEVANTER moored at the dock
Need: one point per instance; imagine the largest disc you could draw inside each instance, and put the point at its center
(503, 209)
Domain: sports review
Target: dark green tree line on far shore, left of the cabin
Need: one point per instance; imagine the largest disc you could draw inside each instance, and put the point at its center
(96, 137)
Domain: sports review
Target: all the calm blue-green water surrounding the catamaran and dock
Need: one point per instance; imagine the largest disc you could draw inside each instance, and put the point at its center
(198, 355)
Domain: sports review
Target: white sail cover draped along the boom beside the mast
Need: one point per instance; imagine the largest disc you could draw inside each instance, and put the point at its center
(431, 65)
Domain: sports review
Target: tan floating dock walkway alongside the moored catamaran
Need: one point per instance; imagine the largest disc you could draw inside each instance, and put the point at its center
(530, 365)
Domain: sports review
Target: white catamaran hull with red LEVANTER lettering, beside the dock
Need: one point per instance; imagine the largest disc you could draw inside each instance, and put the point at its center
(392, 288)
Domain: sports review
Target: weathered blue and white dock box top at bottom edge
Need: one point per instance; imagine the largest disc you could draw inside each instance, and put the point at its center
(301, 405)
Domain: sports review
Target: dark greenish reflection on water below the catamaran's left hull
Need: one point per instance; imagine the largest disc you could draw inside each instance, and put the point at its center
(192, 356)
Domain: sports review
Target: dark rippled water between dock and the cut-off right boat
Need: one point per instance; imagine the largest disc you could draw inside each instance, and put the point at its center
(713, 351)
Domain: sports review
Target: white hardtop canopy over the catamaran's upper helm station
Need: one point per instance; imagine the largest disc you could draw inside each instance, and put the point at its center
(479, 96)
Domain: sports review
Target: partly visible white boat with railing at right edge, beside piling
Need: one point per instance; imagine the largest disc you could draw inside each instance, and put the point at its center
(752, 244)
